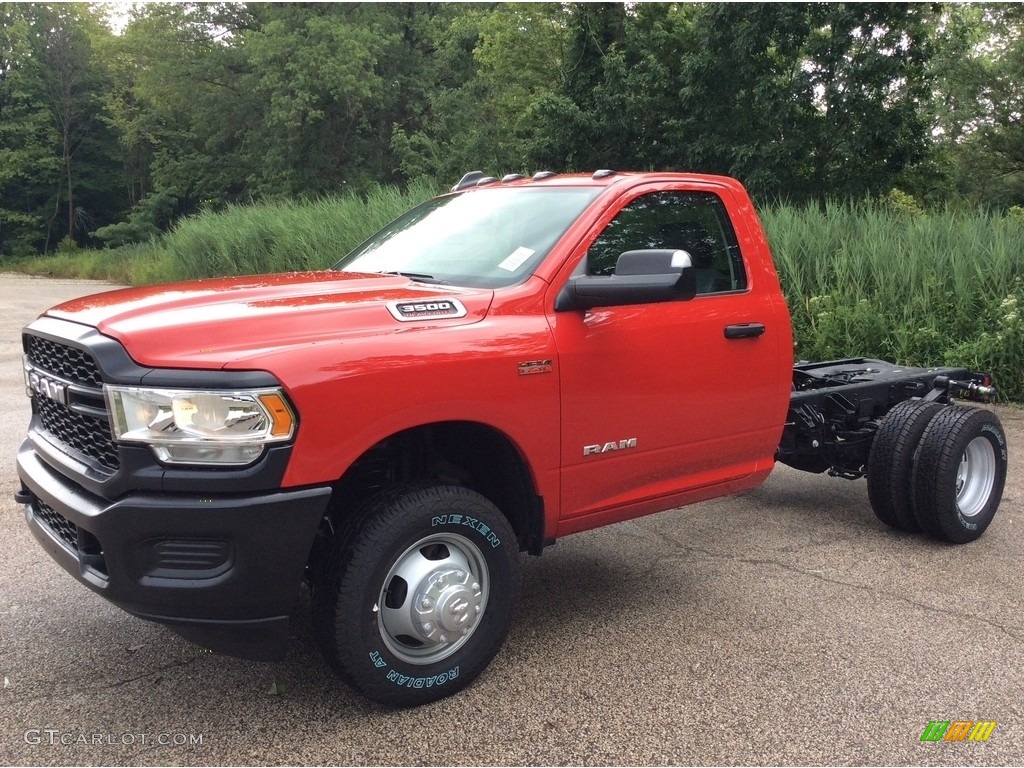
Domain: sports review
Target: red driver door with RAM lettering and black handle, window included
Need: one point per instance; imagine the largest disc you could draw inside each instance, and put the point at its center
(666, 399)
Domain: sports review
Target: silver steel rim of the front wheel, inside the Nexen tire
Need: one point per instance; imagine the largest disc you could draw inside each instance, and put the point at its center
(434, 599)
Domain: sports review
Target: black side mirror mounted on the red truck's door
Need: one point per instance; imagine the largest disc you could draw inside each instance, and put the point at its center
(642, 278)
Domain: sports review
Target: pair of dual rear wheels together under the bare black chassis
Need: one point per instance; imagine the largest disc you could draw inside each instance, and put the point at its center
(940, 470)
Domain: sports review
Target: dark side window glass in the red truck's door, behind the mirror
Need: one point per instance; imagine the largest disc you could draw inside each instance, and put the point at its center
(696, 223)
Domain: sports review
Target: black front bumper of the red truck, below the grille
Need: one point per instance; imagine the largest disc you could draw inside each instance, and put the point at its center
(223, 571)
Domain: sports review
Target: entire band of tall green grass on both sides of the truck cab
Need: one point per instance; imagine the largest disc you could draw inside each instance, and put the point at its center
(861, 280)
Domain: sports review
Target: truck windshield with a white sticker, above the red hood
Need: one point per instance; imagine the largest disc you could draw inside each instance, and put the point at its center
(486, 239)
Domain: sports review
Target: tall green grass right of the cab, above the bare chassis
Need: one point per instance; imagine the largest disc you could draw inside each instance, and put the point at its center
(920, 289)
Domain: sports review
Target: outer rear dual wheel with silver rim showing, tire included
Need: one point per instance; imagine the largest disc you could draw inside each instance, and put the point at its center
(960, 472)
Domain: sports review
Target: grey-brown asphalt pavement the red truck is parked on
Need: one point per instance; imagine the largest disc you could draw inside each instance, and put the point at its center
(784, 626)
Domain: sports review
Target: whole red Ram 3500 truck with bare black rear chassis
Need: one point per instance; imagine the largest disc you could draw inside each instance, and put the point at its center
(515, 362)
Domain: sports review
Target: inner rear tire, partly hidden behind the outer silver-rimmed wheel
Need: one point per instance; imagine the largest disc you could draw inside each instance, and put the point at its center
(890, 464)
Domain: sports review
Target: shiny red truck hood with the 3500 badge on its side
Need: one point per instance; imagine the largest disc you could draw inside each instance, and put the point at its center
(211, 323)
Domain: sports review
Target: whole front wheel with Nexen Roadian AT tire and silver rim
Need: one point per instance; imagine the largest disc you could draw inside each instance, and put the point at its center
(418, 593)
